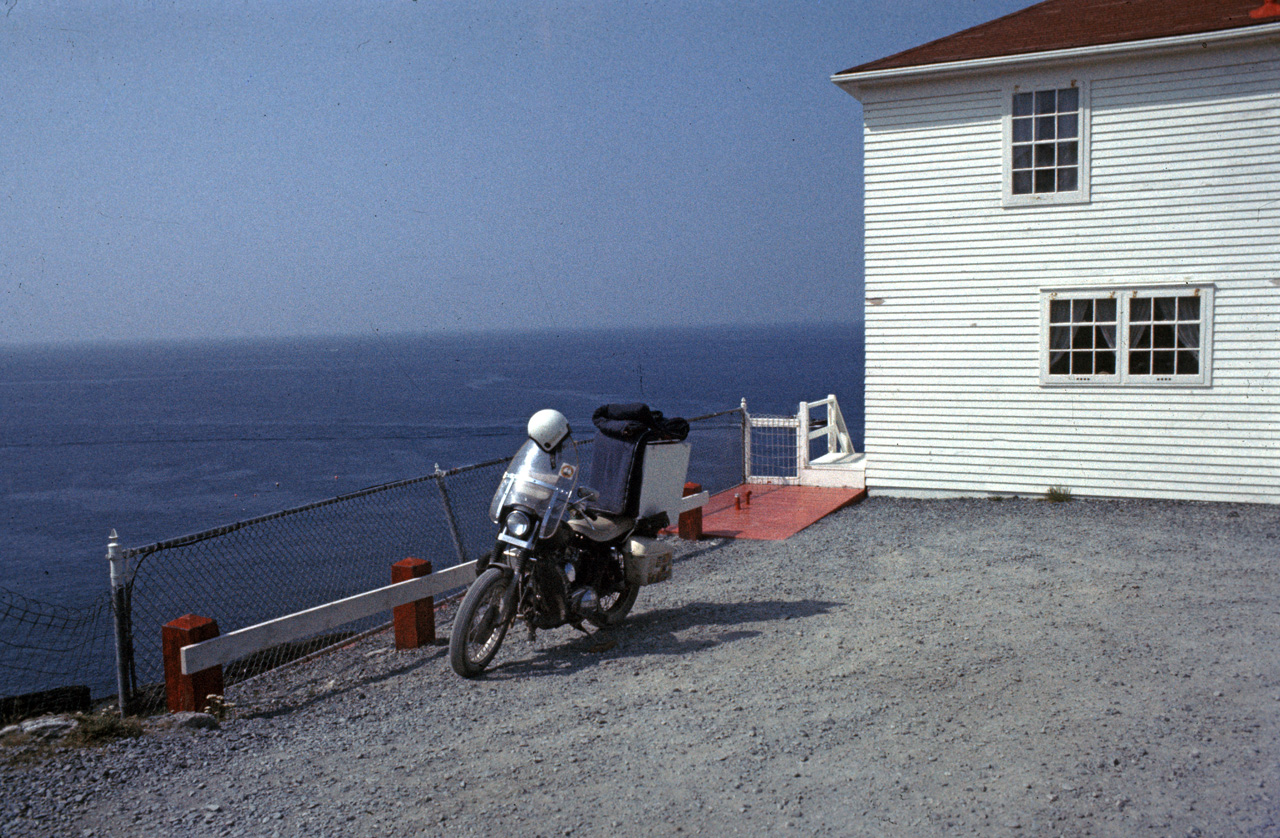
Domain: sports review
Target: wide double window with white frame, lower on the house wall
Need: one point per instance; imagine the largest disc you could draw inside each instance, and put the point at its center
(1144, 336)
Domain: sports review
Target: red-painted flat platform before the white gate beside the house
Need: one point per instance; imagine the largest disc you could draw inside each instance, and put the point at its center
(774, 512)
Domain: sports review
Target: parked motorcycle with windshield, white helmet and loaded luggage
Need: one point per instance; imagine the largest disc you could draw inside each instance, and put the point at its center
(559, 558)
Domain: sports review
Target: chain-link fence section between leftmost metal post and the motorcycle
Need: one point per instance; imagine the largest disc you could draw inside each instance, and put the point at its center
(277, 565)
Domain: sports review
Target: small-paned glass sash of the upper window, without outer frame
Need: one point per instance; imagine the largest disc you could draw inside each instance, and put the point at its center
(1046, 141)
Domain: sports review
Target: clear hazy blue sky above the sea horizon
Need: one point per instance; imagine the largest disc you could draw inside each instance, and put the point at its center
(284, 168)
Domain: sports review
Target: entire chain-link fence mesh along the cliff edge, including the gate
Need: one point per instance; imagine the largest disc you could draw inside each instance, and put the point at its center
(254, 571)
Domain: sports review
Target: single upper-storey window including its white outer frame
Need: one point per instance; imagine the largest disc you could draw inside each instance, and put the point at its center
(1046, 130)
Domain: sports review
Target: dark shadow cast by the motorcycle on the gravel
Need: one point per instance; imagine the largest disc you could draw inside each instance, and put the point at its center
(666, 631)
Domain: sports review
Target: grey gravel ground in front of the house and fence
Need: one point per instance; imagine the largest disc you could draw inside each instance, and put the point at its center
(902, 668)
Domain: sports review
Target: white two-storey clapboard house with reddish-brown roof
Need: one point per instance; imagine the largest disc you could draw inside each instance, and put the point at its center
(1073, 254)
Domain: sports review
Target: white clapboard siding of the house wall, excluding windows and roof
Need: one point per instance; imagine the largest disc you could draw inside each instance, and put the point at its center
(1185, 187)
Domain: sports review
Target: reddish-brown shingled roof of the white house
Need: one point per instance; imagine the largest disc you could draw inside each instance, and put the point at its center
(1063, 25)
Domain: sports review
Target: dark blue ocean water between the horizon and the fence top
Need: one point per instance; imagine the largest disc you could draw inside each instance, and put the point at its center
(164, 439)
